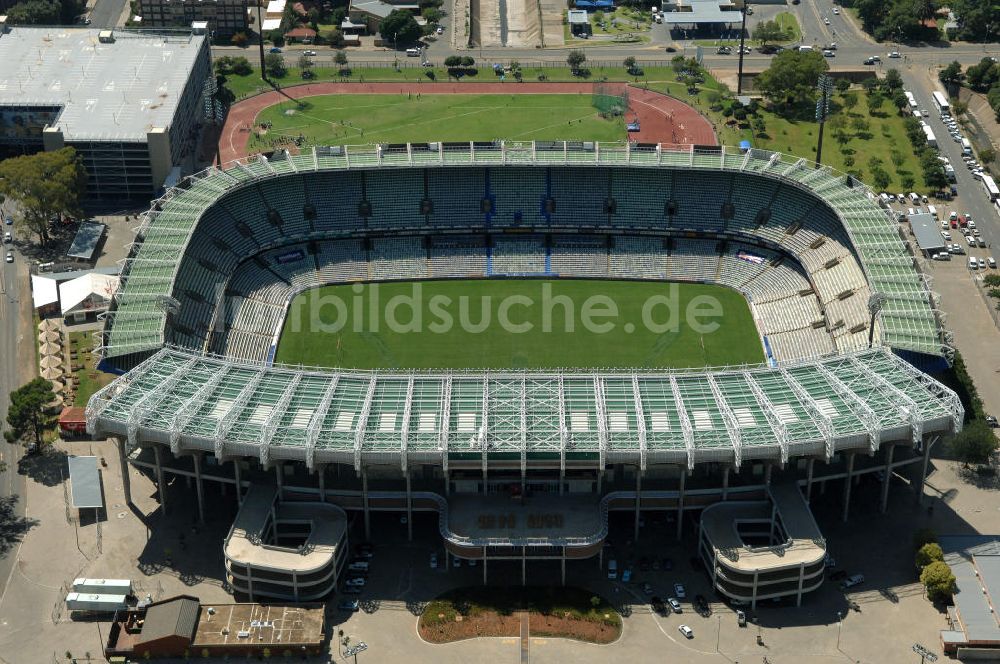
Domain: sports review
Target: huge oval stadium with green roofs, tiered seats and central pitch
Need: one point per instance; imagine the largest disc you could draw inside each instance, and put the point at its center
(522, 459)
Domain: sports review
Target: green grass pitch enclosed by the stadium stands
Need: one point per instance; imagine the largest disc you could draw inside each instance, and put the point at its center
(524, 324)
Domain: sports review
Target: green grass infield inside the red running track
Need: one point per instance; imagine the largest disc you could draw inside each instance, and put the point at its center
(354, 119)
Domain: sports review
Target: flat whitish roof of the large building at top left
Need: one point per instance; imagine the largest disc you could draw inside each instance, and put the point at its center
(107, 91)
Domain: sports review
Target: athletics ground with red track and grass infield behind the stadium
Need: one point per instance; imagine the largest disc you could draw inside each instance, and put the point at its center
(412, 112)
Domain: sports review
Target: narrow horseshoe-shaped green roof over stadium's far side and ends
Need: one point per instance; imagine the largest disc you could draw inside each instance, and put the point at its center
(907, 321)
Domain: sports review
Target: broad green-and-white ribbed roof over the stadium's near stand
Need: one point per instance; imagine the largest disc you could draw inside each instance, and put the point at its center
(196, 402)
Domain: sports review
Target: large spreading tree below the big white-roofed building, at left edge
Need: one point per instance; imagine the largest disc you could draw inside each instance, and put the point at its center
(45, 185)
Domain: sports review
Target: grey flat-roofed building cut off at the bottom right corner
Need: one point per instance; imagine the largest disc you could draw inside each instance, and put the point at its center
(975, 562)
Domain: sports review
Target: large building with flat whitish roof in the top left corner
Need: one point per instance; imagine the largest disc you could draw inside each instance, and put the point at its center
(131, 103)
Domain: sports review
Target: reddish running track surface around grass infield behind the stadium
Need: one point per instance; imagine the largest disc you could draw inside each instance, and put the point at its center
(662, 119)
